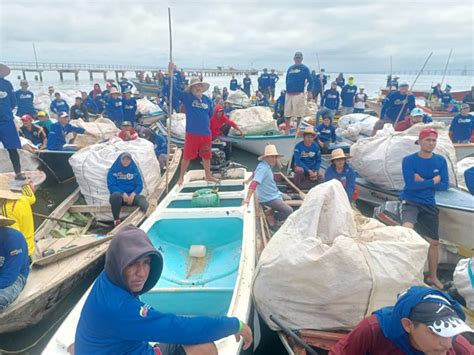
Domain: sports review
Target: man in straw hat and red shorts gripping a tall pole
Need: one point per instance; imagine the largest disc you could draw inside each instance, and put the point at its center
(198, 138)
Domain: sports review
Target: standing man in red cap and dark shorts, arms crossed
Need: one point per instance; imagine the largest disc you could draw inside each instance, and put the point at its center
(424, 173)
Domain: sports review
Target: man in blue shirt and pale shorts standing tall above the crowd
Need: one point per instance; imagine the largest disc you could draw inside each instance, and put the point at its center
(298, 77)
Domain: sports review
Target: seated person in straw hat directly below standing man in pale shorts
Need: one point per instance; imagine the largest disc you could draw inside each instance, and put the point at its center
(307, 160)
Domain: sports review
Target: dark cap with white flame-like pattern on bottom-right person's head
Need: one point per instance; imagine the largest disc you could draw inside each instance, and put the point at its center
(439, 317)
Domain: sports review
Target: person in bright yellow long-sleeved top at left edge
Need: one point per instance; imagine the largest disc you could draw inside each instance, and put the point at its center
(17, 206)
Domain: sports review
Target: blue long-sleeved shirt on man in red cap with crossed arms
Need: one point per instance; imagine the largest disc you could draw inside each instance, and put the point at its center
(423, 192)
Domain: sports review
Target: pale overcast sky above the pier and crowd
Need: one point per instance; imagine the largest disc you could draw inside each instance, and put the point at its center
(348, 35)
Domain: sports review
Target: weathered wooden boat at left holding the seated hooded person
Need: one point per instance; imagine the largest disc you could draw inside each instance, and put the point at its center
(61, 263)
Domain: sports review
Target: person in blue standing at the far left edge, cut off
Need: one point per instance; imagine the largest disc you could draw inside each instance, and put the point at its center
(8, 133)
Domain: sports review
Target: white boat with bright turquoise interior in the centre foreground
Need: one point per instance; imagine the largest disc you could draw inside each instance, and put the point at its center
(218, 284)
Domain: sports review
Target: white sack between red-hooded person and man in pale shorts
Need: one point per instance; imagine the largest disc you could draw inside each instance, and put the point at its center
(254, 120)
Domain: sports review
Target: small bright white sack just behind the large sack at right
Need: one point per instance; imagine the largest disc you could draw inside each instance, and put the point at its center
(355, 125)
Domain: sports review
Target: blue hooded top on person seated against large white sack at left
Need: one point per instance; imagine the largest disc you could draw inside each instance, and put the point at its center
(124, 179)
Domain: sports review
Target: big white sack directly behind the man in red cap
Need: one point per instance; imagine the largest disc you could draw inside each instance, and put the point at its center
(379, 159)
